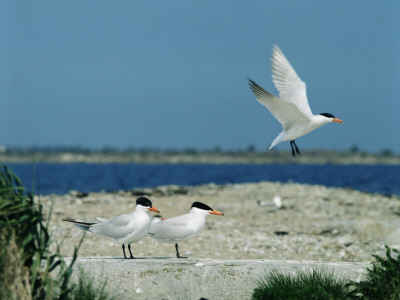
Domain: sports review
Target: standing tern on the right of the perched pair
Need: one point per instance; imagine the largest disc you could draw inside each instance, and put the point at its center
(182, 228)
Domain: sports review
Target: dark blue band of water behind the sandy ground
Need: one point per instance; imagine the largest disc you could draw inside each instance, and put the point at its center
(58, 178)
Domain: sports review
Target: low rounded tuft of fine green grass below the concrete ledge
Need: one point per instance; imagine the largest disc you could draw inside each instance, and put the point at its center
(314, 284)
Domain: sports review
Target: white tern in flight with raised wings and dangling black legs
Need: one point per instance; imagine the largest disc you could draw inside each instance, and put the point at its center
(291, 109)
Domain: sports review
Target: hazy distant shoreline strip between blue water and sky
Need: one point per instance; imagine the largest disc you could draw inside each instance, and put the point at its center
(202, 157)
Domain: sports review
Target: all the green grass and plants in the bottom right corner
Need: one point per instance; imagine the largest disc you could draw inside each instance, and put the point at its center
(381, 282)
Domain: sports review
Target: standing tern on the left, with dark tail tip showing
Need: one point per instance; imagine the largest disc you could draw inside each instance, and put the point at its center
(125, 229)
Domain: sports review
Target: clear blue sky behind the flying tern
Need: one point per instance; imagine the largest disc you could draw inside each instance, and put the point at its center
(173, 74)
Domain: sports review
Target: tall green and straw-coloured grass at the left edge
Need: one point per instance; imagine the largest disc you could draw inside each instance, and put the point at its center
(28, 270)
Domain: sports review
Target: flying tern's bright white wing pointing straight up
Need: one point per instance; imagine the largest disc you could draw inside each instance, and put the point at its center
(291, 88)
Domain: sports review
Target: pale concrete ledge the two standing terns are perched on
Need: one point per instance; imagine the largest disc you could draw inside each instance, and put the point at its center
(170, 278)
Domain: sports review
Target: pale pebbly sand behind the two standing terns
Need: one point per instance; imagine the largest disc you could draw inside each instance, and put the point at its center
(313, 223)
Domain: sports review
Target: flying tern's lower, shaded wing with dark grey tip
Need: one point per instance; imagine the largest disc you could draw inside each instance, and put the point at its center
(285, 112)
